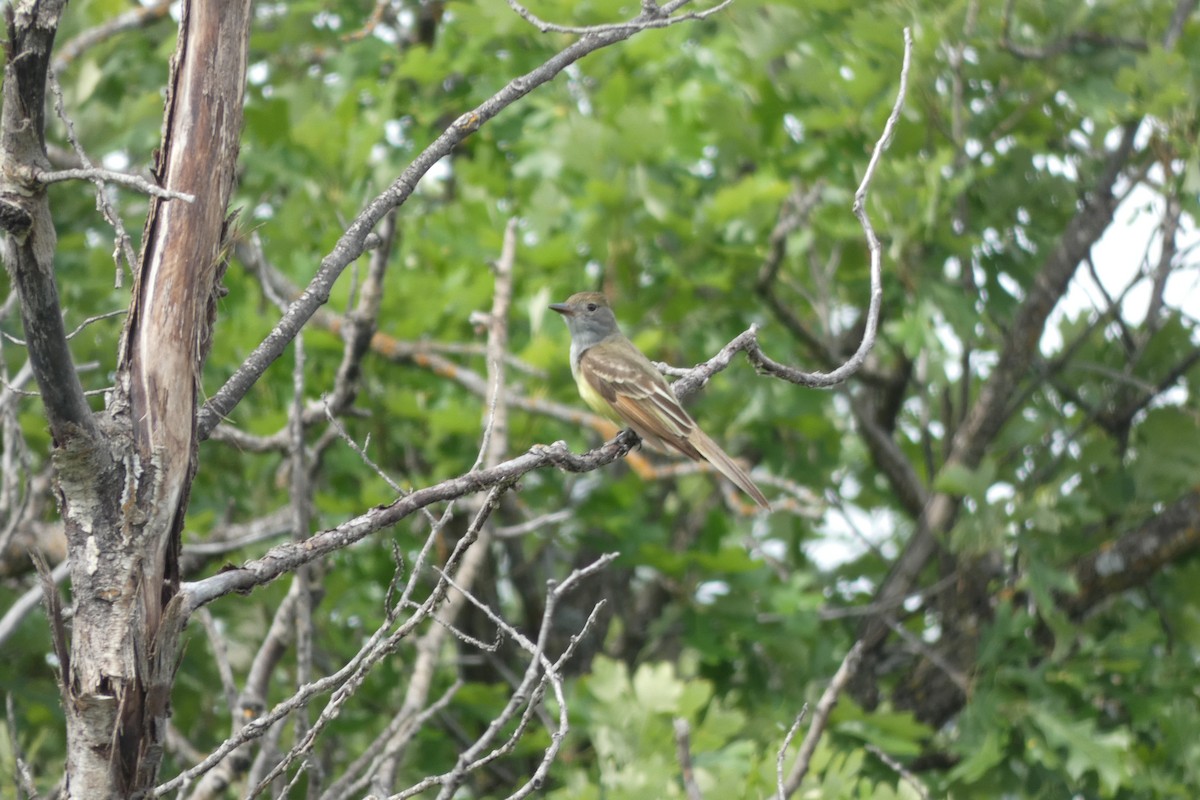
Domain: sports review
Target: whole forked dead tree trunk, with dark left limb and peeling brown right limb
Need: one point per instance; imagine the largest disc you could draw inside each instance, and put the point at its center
(124, 474)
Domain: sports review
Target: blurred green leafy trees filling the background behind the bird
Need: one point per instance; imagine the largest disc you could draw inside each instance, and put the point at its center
(1001, 508)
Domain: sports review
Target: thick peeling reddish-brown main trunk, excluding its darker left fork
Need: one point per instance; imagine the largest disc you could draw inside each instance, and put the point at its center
(125, 502)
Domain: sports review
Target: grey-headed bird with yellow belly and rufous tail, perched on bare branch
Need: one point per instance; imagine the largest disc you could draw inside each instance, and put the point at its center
(621, 383)
